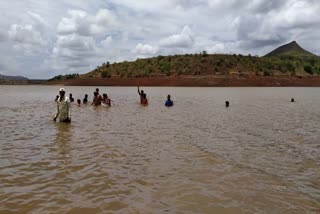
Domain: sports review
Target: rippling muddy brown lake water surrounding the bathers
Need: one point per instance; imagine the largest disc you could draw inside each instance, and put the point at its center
(261, 155)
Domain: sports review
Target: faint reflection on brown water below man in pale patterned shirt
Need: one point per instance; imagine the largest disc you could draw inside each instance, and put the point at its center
(62, 141)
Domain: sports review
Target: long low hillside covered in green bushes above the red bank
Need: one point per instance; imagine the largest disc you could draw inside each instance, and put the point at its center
(206, 64)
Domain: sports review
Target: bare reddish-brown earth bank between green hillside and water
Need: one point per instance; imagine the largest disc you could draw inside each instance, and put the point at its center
(197, 81)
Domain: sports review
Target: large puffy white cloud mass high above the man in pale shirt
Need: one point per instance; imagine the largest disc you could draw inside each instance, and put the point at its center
(81, 42)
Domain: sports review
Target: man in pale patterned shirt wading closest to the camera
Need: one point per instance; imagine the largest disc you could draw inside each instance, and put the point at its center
(63, 107)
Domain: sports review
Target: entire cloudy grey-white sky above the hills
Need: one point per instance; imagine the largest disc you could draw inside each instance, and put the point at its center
(42, 38)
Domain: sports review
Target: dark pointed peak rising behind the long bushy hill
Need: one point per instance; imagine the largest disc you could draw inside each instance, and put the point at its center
(290, 49)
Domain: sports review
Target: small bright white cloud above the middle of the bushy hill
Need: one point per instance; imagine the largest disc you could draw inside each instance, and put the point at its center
(183, 40)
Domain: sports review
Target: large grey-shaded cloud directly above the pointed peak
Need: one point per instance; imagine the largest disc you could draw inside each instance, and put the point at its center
(280, 24)
